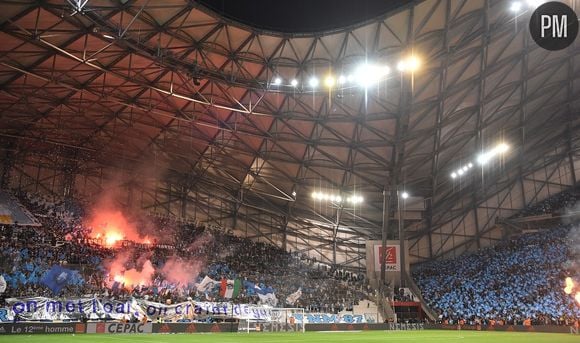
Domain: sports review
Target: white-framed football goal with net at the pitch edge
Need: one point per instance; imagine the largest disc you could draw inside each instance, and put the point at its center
(278, 320)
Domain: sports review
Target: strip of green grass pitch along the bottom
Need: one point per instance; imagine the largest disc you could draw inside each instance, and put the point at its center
(426, 336)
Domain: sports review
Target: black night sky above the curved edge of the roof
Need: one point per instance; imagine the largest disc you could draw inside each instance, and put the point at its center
(302, 16)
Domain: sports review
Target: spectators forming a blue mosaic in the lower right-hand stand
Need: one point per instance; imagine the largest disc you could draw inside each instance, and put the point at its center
(511, 282)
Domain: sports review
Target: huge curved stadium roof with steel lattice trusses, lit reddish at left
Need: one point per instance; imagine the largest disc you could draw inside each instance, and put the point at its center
(180, 106)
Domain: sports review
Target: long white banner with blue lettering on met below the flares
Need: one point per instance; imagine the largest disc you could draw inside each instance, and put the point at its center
(39, 308)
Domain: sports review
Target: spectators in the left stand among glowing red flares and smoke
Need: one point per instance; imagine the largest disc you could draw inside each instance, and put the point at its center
(63, 239)
